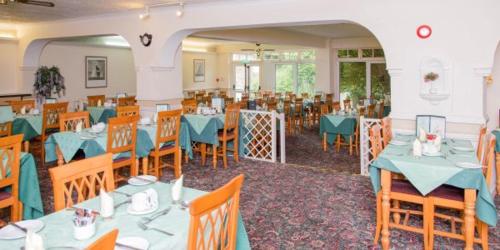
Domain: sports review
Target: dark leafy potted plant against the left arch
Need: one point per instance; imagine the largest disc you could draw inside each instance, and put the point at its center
(48, 82)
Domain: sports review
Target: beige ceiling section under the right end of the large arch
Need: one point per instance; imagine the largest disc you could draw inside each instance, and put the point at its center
(341, 30)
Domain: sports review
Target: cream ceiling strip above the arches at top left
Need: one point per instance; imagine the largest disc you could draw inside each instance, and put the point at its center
(17, 12)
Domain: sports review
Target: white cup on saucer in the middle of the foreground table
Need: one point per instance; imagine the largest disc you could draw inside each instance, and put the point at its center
(143, 202)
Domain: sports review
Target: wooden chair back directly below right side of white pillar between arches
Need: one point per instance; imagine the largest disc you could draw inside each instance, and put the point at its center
(169, 124)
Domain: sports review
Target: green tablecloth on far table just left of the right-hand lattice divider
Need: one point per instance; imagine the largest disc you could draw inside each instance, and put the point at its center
(333, 125)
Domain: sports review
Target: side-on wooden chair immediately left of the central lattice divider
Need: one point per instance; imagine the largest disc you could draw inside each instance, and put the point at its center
(229, 133)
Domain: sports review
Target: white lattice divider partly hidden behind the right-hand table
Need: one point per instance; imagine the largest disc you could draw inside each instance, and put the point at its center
(366, 152)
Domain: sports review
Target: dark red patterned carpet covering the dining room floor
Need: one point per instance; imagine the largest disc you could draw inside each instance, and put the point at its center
(315, 201)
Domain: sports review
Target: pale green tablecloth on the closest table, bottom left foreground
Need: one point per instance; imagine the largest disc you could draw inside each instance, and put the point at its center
(58, 230)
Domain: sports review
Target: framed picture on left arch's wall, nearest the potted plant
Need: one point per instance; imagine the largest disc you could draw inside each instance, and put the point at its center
(96, 72)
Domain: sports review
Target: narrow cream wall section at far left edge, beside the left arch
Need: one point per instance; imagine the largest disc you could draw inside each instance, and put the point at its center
(8, 66)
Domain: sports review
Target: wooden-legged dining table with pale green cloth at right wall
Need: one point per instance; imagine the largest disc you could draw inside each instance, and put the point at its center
(426, 173)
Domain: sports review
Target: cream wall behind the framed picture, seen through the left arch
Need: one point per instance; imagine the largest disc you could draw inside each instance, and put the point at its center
(70, 59)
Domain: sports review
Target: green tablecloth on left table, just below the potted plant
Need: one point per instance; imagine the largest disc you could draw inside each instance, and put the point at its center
(29, 125)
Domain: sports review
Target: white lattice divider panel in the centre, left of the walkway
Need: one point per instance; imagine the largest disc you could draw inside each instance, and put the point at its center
(260, 135)
